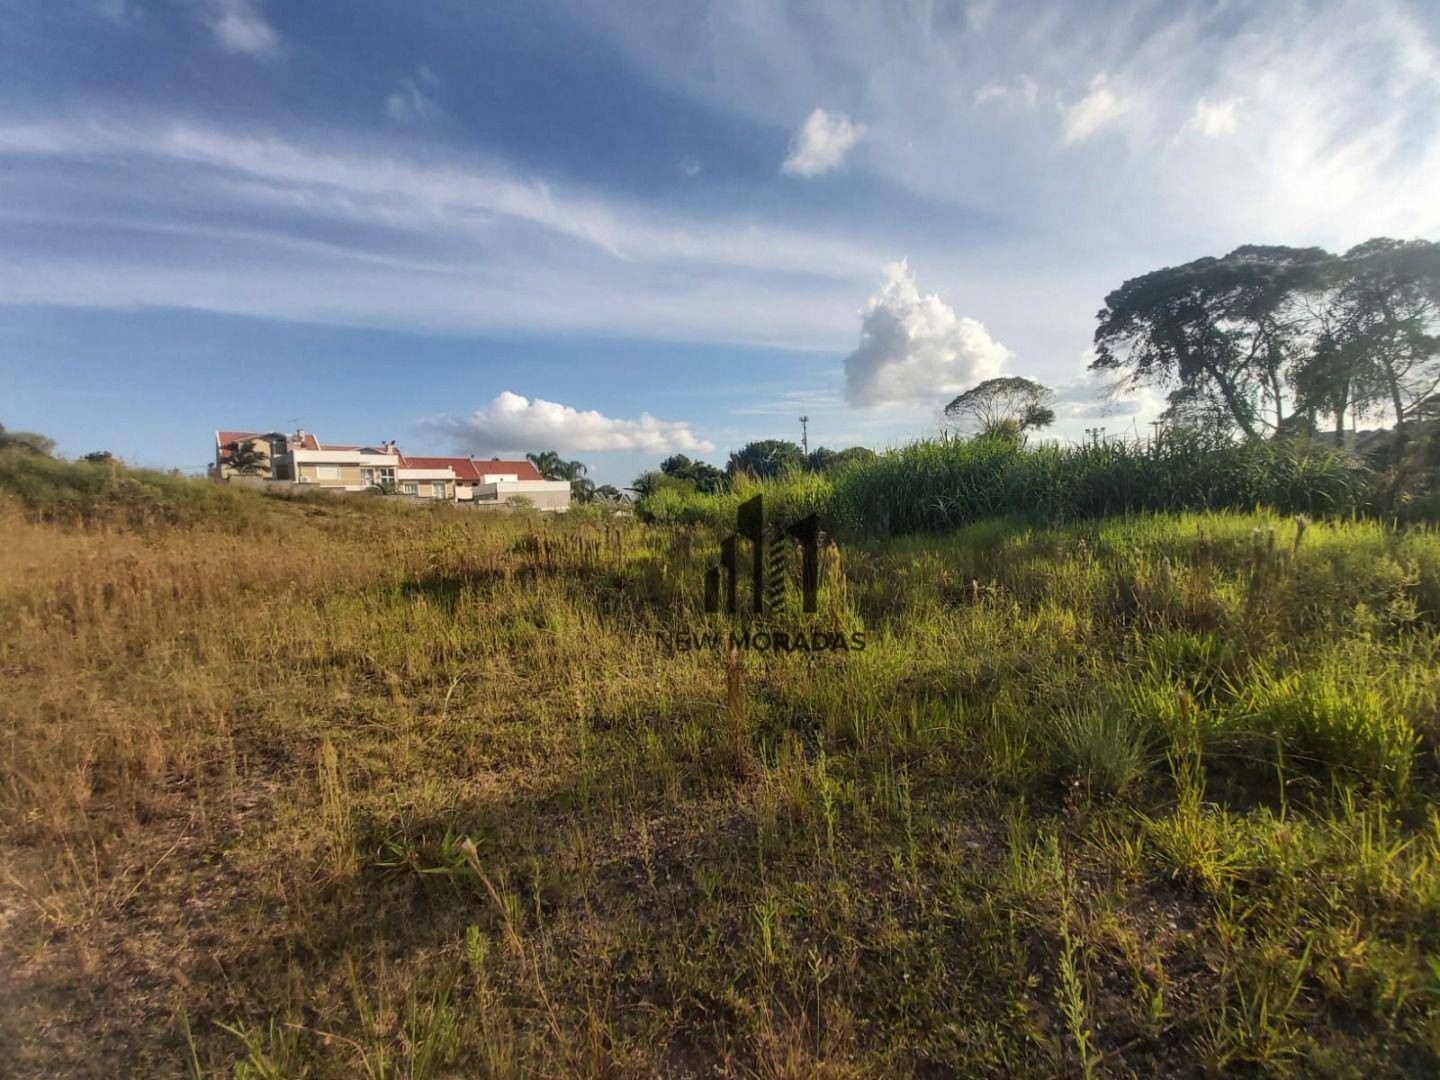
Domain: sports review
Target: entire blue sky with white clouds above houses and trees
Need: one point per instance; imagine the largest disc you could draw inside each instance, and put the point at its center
(624, 231)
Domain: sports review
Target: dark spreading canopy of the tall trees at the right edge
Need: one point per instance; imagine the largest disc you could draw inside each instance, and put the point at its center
(1268, 339)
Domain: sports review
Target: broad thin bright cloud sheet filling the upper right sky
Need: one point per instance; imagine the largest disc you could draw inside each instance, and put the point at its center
(1340, 104)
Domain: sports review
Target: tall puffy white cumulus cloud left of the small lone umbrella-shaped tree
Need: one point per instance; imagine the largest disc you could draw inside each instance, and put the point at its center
(915, 351)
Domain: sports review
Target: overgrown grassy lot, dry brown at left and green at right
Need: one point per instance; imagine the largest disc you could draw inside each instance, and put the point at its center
(343, 788)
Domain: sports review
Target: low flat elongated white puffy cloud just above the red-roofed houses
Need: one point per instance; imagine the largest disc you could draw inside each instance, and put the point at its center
(513, 423)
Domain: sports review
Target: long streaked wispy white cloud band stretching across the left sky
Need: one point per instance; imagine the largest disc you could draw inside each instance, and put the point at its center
(269, 225)
